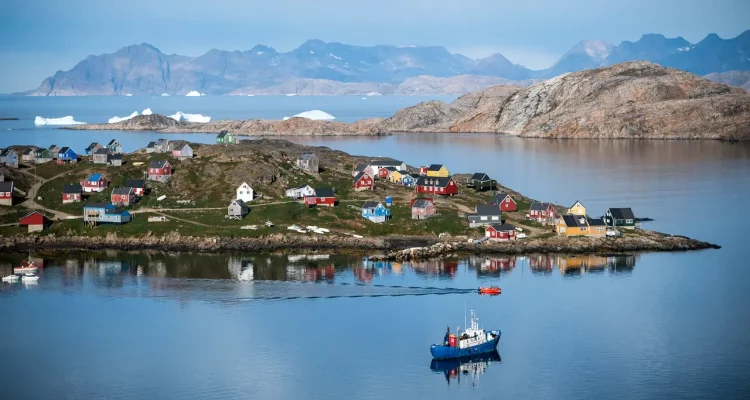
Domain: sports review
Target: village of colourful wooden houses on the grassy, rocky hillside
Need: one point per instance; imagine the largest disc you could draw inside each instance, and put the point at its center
(172, 186)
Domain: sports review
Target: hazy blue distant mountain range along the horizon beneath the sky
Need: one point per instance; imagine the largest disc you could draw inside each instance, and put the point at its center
(144, 70)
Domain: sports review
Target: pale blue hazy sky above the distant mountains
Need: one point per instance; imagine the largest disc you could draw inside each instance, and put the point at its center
(39, 37)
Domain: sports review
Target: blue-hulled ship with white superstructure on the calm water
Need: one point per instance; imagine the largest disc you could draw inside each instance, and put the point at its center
(471, 342)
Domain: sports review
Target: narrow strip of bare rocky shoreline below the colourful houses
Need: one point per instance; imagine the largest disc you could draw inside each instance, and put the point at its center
(401, 248)
